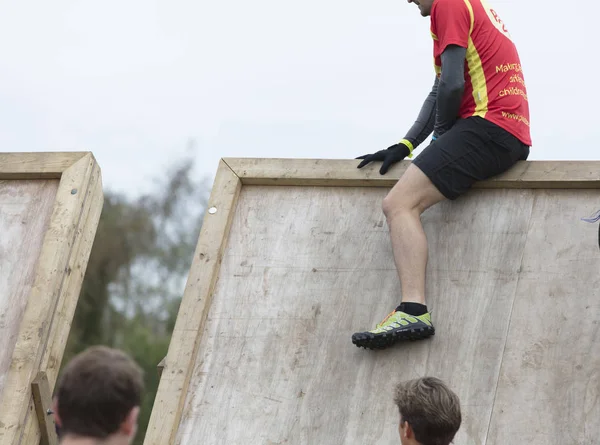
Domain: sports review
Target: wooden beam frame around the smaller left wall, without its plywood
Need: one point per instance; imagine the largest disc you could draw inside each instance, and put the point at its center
(59, 273)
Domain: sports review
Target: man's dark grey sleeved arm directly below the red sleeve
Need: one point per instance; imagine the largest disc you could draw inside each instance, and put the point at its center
(450, 89)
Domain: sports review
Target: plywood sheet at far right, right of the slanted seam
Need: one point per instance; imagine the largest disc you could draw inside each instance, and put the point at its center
(549, 389)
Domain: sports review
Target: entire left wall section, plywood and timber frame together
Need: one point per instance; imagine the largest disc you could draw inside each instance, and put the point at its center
(50, 204)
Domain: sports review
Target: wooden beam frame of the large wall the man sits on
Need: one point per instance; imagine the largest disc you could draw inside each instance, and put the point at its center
(232, 175)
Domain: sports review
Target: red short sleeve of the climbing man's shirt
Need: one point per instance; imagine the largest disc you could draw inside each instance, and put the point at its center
(451, 20)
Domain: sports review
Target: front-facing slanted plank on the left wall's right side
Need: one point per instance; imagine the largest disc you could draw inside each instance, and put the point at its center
(47, 286)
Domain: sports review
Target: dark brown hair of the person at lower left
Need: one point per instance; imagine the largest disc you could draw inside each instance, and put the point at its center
(98, 391)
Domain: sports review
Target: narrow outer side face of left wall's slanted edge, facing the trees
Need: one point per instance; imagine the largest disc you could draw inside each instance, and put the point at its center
(67, 302)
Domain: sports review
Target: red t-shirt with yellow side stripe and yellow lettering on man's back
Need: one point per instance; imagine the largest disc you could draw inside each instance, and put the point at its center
(494, 87)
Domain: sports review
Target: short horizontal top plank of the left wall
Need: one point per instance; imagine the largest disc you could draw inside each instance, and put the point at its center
(37, 165)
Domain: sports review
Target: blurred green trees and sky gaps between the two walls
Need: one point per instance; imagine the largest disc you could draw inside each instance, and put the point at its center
(137, 271)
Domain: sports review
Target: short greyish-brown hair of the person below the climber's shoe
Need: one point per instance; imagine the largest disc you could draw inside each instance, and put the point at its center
(431, 409)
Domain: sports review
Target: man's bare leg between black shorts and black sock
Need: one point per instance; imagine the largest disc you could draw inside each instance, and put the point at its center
(409, 198)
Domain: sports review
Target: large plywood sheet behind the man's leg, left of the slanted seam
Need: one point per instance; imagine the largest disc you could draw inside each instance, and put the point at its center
(304, 268)
